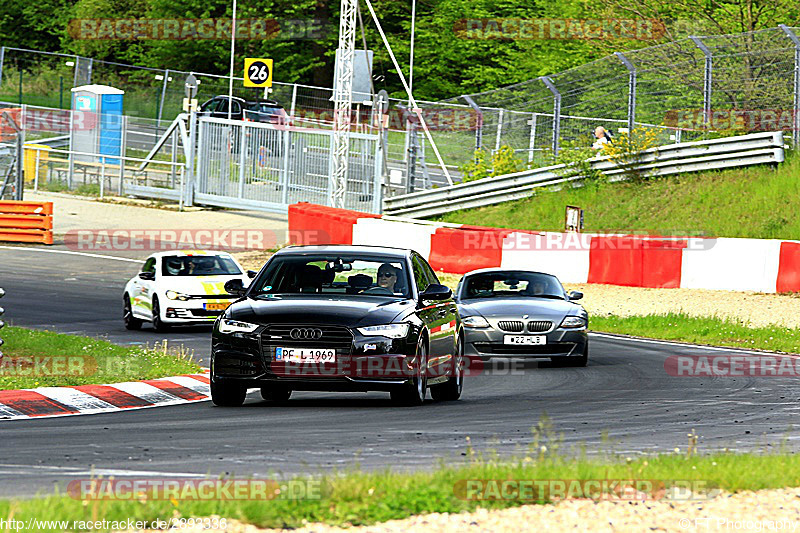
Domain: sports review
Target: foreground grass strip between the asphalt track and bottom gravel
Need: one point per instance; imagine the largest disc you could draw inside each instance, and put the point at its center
(359, 498)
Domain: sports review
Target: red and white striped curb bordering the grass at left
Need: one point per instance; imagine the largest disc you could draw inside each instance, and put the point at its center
(91, 399)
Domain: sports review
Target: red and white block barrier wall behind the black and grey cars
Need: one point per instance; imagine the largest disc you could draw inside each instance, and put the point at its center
(761, 265)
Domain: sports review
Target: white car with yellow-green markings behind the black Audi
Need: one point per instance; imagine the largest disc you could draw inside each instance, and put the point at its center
(181, 287)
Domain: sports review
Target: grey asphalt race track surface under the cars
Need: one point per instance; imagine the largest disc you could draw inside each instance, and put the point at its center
(624, 393)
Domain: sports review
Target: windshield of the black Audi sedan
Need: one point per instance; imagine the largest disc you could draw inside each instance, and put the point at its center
(334, 274)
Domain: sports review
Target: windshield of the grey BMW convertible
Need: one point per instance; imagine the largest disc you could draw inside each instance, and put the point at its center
(512, 284)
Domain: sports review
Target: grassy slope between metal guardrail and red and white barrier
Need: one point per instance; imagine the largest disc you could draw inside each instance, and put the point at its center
(754, 202)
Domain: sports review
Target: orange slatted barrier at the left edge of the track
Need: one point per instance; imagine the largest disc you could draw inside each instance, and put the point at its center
(26, 222)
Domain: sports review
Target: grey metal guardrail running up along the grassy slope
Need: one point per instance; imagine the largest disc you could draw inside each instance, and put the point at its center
(715, 154)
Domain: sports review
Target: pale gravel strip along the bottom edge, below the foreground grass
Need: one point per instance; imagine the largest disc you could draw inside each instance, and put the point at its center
(765, 510)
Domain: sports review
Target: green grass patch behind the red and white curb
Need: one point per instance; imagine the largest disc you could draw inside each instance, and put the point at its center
(33, 358)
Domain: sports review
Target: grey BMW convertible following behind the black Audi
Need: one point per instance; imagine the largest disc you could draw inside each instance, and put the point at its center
(519, 313)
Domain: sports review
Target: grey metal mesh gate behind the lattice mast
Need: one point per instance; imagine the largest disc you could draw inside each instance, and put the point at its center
(269, 166)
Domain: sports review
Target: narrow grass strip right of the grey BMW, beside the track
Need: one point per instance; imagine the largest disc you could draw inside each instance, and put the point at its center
(701, 330)
